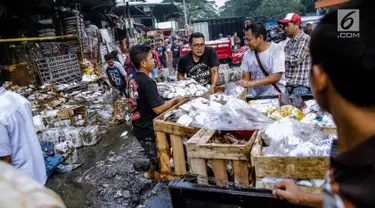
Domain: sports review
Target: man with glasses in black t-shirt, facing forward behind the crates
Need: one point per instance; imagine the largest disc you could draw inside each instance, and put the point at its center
(201, 63)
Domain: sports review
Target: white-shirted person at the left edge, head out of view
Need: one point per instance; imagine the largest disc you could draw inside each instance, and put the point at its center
(19, 143)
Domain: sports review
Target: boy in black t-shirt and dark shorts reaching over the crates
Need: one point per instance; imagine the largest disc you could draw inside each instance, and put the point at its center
(146, 104)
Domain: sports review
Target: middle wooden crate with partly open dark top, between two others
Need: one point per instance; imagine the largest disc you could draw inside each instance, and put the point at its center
(199, 151)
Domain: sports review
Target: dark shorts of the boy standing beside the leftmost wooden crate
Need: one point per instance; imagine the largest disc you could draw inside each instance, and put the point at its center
(148, 143)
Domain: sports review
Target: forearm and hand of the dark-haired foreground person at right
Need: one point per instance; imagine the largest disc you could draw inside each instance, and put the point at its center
(289, 191)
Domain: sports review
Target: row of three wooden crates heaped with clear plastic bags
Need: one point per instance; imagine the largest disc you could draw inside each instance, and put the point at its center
(254, 144)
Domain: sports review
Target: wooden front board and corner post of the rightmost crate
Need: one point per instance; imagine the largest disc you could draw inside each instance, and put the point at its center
(287, 167)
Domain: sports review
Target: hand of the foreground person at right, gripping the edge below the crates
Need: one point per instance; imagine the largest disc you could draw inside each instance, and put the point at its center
(289, 191)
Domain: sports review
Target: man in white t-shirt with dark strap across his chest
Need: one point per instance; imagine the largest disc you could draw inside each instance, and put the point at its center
(271, 81)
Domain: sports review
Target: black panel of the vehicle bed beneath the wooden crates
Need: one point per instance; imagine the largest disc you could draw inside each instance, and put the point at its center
(188, 194)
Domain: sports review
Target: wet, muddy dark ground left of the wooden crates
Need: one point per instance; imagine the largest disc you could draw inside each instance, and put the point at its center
(107, 177)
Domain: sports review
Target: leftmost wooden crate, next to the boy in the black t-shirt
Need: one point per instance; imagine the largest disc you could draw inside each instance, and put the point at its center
(169, 133)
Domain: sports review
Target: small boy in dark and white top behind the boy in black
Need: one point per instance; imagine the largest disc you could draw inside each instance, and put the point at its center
(117, 78)
